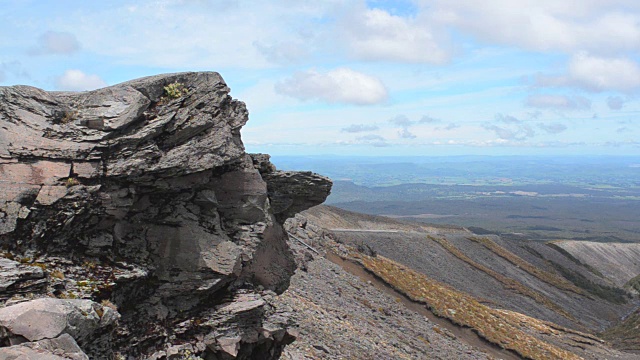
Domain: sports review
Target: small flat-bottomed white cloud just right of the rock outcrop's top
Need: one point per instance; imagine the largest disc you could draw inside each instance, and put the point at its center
(340, 85)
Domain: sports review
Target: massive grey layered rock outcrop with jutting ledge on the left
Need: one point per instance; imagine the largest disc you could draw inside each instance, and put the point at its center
(141, 196)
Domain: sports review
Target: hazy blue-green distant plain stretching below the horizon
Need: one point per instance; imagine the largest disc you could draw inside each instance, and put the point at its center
(538, 198)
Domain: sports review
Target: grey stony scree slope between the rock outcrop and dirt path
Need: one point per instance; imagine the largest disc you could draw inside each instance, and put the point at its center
(342, 317)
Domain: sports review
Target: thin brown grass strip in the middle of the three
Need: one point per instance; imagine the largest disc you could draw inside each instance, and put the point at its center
(509, 283)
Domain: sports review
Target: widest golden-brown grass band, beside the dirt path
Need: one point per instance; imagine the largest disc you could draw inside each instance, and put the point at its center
(499, 327)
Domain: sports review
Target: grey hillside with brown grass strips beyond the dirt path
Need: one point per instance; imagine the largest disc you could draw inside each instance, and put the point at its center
(544, 303)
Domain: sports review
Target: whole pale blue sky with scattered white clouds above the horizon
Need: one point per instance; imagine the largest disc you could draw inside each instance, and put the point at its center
(419, 78)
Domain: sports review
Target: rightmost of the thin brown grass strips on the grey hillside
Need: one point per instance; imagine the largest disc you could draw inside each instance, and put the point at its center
(545, 276)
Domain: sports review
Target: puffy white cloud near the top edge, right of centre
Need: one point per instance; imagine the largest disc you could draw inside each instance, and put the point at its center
(375, 34)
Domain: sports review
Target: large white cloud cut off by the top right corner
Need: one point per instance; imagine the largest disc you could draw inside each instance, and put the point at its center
(598, 26)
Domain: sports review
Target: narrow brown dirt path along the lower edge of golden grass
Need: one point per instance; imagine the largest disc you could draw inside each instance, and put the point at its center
(462, 333)
